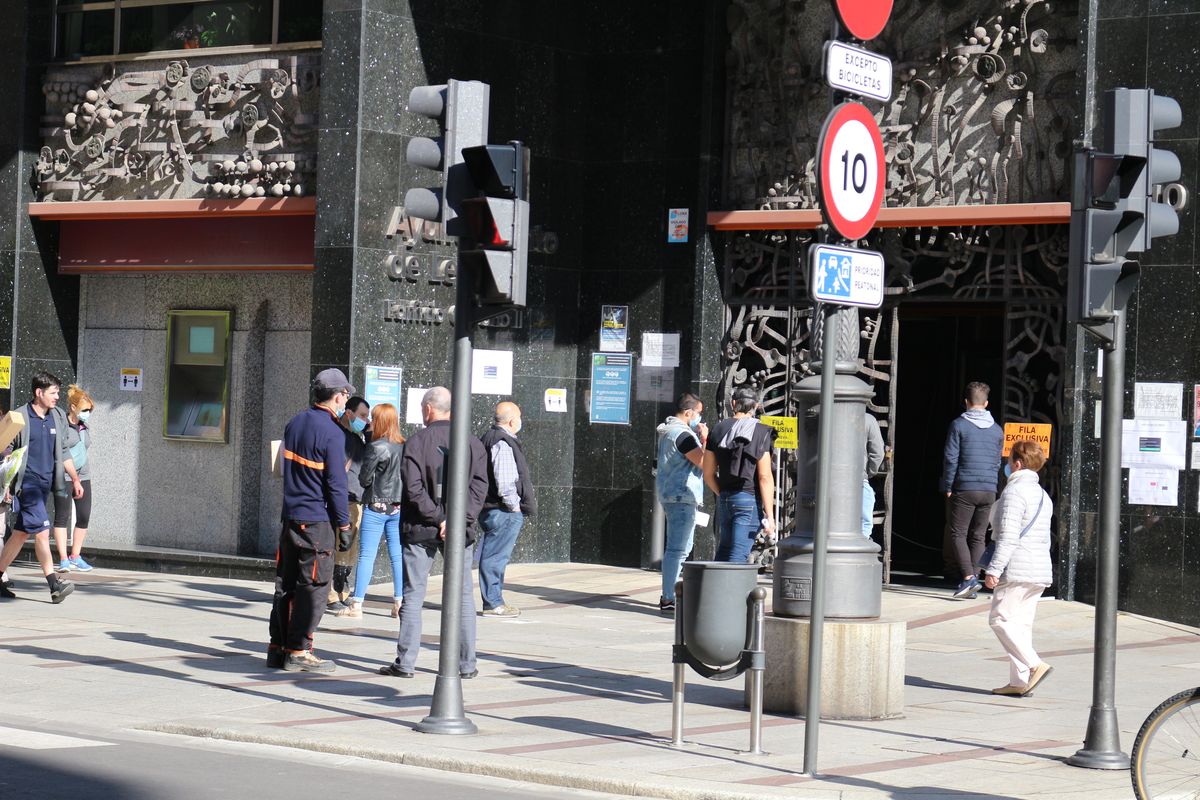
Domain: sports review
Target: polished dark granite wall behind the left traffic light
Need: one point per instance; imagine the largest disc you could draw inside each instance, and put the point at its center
(615, 104)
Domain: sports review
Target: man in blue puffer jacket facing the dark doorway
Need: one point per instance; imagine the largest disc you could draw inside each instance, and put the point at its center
(973, 459)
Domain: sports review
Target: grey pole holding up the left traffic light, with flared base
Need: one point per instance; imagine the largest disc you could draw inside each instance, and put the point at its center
(447, 714)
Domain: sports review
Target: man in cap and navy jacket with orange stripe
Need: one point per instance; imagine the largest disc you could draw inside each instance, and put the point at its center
(315, 502)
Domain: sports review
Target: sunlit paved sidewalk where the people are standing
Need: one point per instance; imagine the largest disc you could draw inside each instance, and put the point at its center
(577, 693)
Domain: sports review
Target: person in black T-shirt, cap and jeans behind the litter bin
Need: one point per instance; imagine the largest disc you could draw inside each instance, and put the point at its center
(739, 472)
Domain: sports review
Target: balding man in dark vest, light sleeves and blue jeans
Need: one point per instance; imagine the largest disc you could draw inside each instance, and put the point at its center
(511, 498)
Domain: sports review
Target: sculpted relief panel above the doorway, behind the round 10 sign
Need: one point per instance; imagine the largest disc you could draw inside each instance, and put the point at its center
(982, 111)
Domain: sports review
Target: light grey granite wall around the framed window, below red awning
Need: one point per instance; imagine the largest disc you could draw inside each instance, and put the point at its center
(197, 496)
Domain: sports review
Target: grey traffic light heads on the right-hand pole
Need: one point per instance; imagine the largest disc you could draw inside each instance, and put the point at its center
(1114, 212)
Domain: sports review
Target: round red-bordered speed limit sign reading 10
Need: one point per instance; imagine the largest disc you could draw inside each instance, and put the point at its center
(851, 172)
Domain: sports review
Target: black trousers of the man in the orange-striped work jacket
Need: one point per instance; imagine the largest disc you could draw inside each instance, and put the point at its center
(304, 567)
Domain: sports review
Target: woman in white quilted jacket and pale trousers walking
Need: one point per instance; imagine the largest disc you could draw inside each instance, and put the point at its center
(1021, 568)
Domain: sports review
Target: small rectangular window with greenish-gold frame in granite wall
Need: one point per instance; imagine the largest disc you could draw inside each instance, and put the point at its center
(197, 376)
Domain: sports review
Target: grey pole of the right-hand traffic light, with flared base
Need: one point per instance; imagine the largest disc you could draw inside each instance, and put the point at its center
(1102, 745)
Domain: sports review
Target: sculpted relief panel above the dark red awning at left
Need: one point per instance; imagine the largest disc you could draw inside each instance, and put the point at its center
(181, 131)
